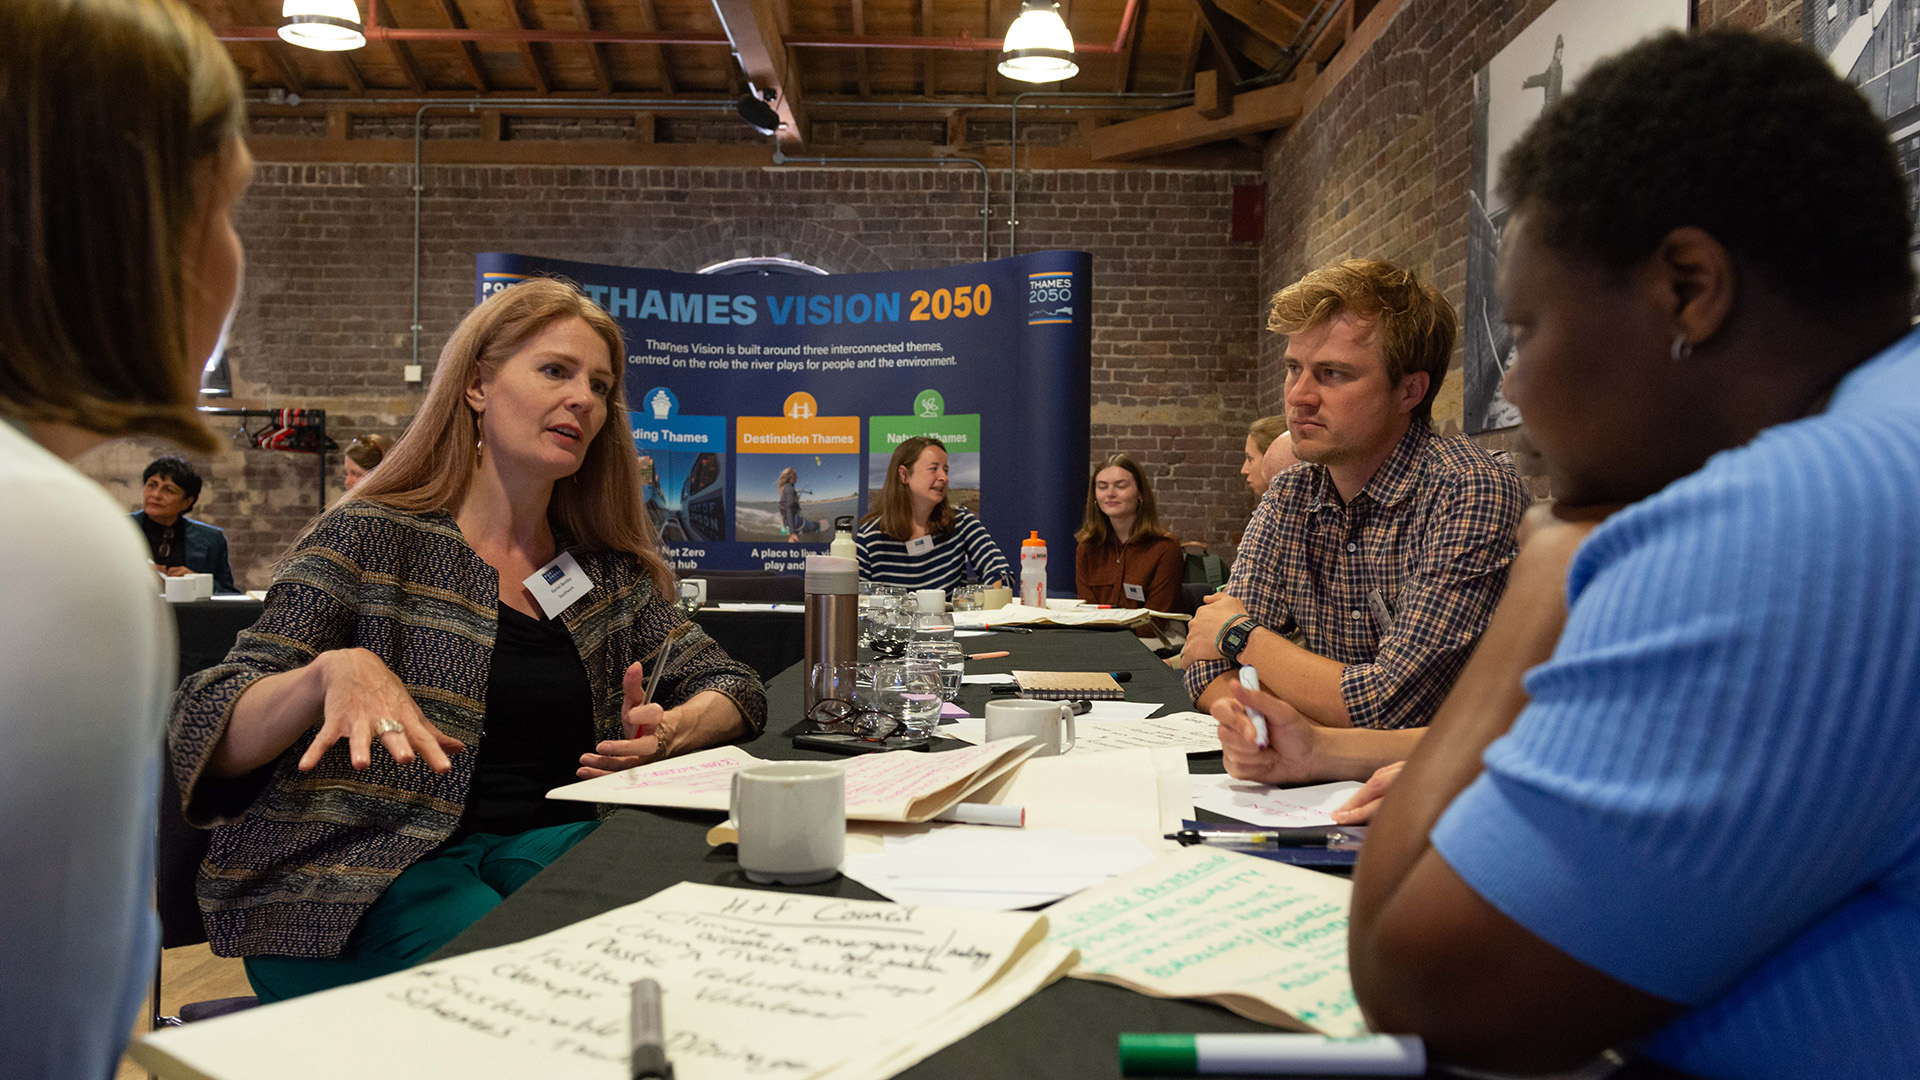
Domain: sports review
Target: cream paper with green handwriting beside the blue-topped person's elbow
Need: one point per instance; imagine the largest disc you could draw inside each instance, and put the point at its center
(1262, 939)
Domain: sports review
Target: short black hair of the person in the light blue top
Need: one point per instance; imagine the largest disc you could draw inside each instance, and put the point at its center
(1752, 139)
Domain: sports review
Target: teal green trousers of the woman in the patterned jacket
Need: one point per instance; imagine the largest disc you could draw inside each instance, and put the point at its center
(427, 906)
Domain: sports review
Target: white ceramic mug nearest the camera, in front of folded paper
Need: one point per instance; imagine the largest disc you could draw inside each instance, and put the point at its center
(792, 820)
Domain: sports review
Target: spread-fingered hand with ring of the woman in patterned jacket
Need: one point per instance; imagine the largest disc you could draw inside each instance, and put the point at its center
(362, 693)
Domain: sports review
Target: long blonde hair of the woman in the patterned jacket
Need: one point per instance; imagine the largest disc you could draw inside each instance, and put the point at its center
(598, 508)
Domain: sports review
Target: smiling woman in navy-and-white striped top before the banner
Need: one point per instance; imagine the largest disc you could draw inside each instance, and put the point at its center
(917, 539)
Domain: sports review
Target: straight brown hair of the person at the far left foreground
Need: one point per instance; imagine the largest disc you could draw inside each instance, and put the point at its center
(114, 110)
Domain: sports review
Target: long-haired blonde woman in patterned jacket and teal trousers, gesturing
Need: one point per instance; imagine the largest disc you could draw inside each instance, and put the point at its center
(466, 631)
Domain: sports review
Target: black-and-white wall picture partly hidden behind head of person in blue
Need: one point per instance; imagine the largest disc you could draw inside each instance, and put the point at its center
(1508, 95)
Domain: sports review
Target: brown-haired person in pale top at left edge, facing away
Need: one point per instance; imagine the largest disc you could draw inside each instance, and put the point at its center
(120, 264)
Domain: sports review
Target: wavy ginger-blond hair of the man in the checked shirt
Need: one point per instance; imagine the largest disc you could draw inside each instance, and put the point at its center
(1414, 322)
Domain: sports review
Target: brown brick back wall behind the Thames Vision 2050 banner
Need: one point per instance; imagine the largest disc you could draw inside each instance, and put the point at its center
(327, 307)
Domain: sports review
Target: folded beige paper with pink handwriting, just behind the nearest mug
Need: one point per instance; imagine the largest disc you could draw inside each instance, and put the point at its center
(901, 785)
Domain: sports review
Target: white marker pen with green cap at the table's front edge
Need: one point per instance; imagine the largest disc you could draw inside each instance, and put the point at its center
(1270, 1056)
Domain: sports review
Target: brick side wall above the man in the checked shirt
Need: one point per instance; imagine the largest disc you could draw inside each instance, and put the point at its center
(1383, 166)
